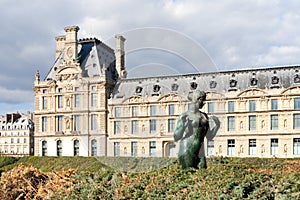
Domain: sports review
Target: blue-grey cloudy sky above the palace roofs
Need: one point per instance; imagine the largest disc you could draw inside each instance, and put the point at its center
(183, 36)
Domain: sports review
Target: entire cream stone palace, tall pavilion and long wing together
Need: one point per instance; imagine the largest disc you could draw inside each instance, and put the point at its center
(86, 106)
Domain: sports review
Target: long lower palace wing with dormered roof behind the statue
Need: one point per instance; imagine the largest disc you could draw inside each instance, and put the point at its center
(258, 110)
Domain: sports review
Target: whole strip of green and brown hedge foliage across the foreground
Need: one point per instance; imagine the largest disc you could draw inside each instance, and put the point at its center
(225, 178)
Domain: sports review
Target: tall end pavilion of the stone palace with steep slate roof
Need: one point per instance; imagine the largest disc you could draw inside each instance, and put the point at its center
(71, 101)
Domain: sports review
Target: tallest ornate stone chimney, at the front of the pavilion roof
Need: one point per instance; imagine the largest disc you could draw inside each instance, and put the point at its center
(71, 42)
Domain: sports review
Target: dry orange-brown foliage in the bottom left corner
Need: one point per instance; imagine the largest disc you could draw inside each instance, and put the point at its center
(27, 182)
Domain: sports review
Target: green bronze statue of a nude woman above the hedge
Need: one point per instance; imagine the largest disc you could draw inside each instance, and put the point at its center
(191, 129)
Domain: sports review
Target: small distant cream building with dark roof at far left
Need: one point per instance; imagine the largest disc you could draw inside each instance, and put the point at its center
(16, 134)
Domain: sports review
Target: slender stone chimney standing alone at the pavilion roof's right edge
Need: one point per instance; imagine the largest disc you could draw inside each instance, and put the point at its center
(120, 56)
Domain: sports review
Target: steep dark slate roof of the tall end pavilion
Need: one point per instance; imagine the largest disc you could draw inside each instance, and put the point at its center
(94, 58)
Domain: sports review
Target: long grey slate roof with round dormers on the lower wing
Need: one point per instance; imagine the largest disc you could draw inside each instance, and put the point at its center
(219, 82)
